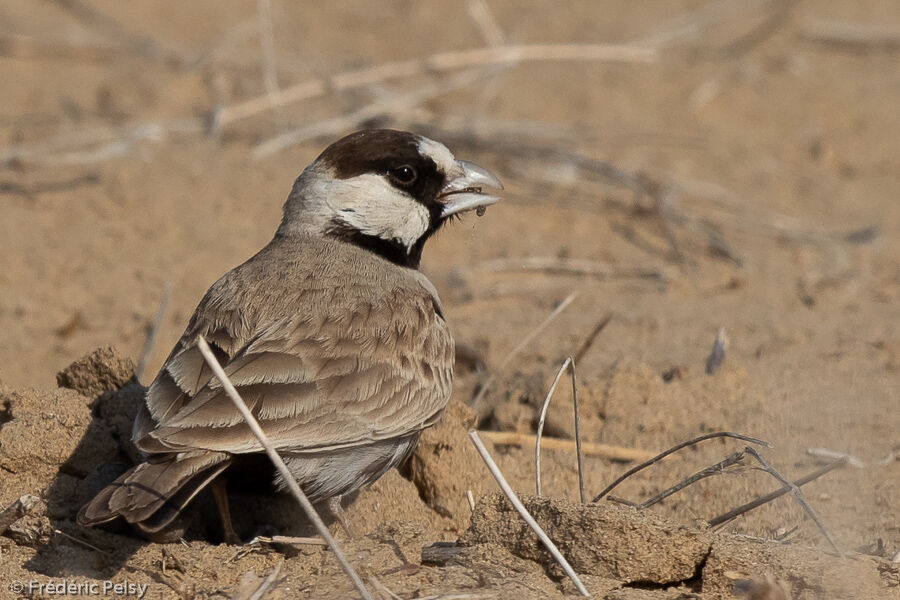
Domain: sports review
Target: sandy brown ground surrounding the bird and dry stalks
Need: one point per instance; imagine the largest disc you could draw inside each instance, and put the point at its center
(768, 136)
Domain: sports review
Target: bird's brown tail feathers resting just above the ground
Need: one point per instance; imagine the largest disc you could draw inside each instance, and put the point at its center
(151, 494)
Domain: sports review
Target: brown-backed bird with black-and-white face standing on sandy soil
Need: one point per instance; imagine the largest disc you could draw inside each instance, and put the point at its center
(334, 338)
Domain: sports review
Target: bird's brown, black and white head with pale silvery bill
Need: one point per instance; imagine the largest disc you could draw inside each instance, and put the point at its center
(385, 190)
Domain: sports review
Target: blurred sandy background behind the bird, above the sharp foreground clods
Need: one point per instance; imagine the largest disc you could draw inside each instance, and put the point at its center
(679, 166)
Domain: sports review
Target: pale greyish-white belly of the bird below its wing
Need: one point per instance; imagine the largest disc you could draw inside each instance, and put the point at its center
(324, 475)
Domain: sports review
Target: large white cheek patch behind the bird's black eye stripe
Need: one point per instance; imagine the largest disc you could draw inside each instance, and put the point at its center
(369, 204)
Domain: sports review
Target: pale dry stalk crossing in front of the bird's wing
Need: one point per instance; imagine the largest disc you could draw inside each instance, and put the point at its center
(294, 488)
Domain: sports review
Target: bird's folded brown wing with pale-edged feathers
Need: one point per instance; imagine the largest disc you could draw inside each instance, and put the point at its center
(323, 374)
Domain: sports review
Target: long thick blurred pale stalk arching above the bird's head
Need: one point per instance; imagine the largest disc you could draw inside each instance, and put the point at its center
(436, 63)
